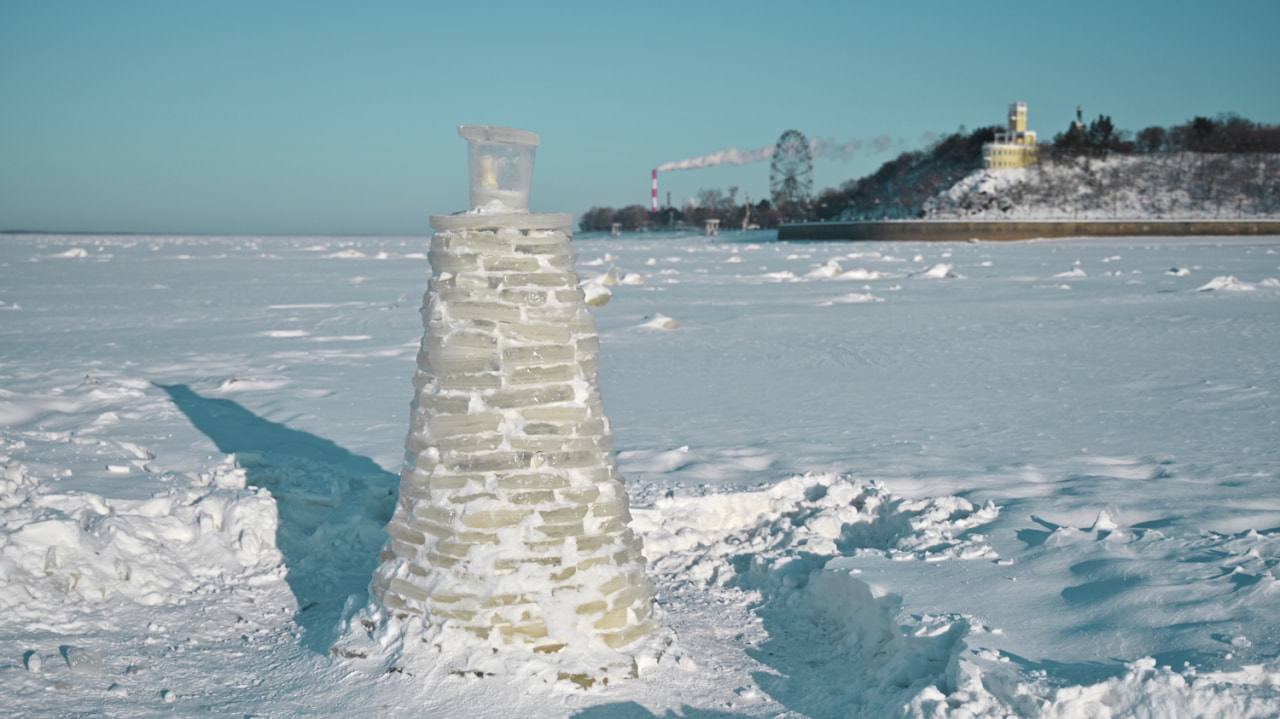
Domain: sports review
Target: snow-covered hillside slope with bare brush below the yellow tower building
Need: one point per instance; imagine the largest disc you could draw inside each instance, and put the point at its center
(1183, 185)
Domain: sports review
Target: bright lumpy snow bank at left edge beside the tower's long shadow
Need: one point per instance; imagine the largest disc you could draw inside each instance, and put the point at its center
(74, 548)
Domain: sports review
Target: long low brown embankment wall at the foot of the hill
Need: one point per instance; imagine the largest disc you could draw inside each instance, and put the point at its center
(959, 231)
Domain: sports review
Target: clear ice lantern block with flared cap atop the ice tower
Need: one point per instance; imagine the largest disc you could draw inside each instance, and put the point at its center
(502, 167)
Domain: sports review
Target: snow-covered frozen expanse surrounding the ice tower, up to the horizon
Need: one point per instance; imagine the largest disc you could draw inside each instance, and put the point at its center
(1027, 479)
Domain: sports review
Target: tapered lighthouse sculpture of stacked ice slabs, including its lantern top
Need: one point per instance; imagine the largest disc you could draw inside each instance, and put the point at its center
(511, 529)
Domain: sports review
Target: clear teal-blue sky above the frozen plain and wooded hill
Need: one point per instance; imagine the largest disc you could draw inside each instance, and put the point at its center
(340, 117)
